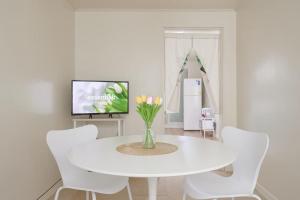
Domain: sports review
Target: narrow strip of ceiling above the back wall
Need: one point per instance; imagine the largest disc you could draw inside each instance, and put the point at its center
(154, 4)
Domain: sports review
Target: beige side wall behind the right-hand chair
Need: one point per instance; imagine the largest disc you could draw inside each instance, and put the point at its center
(268, 87)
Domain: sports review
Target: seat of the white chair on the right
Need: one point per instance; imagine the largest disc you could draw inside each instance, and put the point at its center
(211, 185)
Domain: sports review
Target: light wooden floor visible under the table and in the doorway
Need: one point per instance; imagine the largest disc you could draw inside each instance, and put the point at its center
(168, 188)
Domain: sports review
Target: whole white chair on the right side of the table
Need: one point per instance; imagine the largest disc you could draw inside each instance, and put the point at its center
(251, 148)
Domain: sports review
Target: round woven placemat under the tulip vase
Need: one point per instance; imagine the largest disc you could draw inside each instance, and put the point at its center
(138, 150)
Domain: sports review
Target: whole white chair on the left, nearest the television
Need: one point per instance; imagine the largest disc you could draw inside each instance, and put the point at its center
(60, 143)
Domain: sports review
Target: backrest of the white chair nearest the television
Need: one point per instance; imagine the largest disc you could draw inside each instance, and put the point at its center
(61, 142)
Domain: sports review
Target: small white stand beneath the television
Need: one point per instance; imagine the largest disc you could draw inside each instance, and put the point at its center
(120, 122)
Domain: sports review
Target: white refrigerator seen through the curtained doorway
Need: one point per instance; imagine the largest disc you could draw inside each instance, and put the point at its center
(192, 104)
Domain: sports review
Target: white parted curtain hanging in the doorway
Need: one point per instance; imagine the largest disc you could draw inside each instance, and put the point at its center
(176, 50)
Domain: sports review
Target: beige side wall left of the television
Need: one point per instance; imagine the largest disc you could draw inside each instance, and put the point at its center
(36, 65)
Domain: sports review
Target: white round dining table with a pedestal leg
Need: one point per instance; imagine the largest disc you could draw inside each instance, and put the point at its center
(193, 156)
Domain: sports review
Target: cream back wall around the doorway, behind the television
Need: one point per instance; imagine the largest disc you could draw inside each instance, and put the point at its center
(129, 45)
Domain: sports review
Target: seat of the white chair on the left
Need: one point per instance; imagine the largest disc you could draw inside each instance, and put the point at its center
(95, 182)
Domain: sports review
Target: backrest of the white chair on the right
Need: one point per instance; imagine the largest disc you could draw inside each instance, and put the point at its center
(251, 148)
